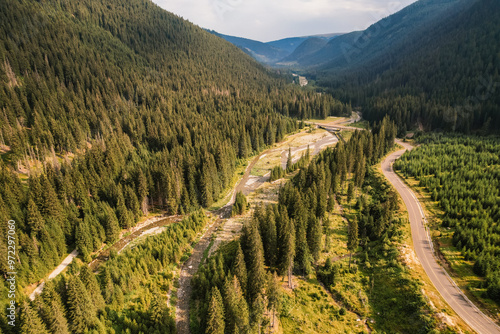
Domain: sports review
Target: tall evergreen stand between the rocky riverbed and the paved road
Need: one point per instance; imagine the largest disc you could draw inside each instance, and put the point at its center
(238, 290)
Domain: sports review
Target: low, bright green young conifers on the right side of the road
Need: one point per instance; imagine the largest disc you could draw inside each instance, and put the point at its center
(463, 175)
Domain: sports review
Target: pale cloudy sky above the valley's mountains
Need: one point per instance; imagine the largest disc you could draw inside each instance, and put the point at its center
(268, 20)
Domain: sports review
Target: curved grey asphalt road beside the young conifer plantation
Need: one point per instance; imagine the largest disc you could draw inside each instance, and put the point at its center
(477, 320)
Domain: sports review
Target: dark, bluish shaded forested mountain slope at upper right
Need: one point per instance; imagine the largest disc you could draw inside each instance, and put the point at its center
(439, 74)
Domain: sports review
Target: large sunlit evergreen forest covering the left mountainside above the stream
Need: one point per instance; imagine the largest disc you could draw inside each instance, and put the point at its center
(109, 109)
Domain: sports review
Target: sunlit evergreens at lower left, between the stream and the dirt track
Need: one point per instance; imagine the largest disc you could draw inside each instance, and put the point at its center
(128, 294)
